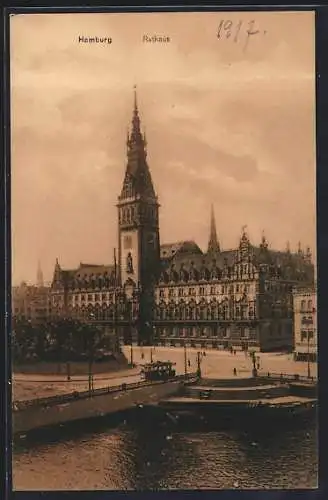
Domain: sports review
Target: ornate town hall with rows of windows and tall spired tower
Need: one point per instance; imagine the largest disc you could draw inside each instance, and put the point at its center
(176, 293)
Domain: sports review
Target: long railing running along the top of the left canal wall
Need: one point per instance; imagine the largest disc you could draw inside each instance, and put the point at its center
(76, 395)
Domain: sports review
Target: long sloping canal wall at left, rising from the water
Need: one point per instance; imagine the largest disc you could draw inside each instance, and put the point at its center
(34, 417)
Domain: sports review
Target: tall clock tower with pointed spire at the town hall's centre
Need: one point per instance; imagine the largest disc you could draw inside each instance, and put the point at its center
(138, 228)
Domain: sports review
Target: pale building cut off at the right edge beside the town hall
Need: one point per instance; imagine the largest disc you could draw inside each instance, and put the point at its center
(305, 323)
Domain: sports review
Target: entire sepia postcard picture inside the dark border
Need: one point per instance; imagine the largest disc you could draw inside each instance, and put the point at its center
(163, 228)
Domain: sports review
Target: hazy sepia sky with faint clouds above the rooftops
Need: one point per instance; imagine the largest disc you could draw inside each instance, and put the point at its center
(225, 124)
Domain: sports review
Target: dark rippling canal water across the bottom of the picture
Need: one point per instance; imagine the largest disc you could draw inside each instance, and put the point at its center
(133, 456)
